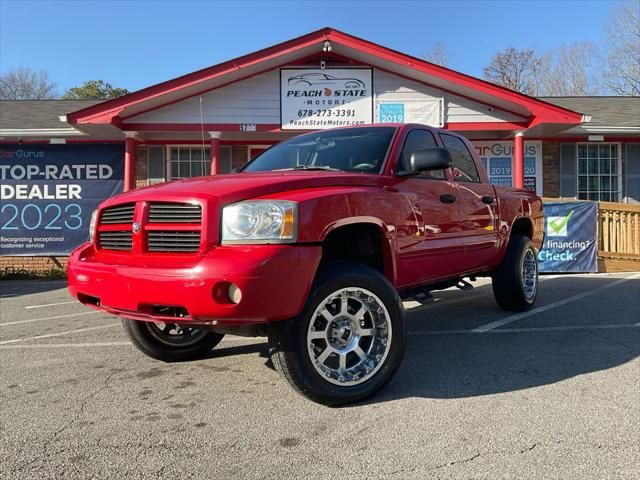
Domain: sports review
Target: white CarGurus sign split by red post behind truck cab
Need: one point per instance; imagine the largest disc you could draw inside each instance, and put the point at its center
(497, 158)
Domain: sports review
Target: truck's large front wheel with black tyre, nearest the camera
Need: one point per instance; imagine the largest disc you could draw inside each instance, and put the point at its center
(347, 342)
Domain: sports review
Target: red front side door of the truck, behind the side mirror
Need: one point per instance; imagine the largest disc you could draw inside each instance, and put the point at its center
(433, 249)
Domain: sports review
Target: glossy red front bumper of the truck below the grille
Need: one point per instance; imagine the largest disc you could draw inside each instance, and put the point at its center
(274, 281)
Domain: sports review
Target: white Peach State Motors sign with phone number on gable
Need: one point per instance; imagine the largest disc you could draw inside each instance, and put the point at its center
(312, 99)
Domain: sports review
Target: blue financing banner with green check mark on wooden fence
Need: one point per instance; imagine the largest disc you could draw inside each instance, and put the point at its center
(570, 237)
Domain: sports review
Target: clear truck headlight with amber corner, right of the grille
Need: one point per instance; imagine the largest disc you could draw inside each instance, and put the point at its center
(259, 221)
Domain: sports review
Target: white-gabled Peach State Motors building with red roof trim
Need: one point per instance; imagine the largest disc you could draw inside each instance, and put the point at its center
(216, 119)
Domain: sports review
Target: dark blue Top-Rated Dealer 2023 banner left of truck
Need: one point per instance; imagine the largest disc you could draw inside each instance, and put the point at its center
(47, 194)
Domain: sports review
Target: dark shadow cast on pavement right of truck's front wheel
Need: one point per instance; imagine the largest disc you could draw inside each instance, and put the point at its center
(468, 365)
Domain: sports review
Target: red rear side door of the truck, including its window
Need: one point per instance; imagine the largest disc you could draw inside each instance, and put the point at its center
(477, 204)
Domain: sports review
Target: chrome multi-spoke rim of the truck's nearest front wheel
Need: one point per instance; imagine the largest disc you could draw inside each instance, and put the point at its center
(349, 336)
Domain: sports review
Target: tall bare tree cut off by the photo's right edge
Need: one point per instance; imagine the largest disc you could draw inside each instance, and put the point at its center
(622, 76)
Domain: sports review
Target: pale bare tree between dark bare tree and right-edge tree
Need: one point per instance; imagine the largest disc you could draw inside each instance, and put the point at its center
(569, 70)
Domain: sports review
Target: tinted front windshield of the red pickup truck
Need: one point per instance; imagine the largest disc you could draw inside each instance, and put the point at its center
(361, 149)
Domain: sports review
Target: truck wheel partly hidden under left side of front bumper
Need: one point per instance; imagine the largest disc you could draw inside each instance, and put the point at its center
(170, 342)
